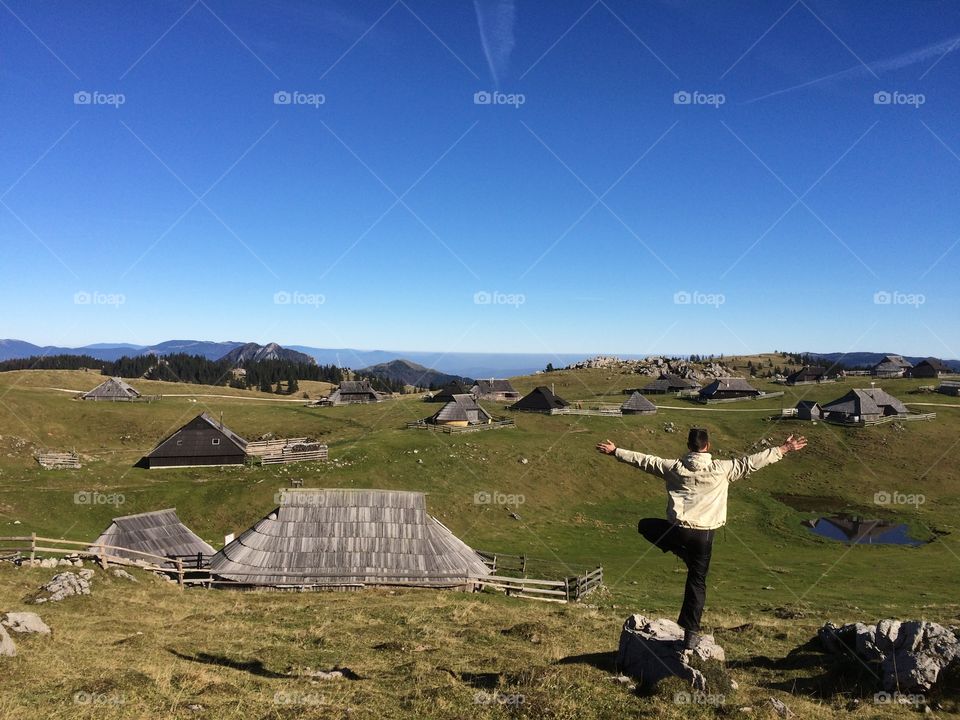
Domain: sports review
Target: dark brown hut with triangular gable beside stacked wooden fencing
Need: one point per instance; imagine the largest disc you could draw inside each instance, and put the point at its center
(202, 441)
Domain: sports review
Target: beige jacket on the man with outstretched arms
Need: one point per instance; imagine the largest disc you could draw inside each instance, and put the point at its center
(697, 484)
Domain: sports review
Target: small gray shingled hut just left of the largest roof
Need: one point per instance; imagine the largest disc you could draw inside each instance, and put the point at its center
(159, 533)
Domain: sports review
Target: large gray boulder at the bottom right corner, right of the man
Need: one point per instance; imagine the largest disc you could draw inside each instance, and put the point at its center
(912, 654)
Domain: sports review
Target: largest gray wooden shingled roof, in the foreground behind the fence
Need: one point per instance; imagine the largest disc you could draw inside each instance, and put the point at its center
(348, 537)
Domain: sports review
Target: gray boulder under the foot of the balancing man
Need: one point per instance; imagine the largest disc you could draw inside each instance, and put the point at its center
(650, 650)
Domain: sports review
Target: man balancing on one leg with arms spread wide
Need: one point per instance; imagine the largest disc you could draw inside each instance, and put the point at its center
(696, 506)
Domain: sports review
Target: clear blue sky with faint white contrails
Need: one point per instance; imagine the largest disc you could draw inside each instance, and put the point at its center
(652, 177)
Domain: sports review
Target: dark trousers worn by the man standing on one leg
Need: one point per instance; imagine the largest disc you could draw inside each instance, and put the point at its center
(694, 547)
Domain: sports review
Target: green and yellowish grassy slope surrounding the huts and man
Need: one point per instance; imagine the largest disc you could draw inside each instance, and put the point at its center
(580, 508)
